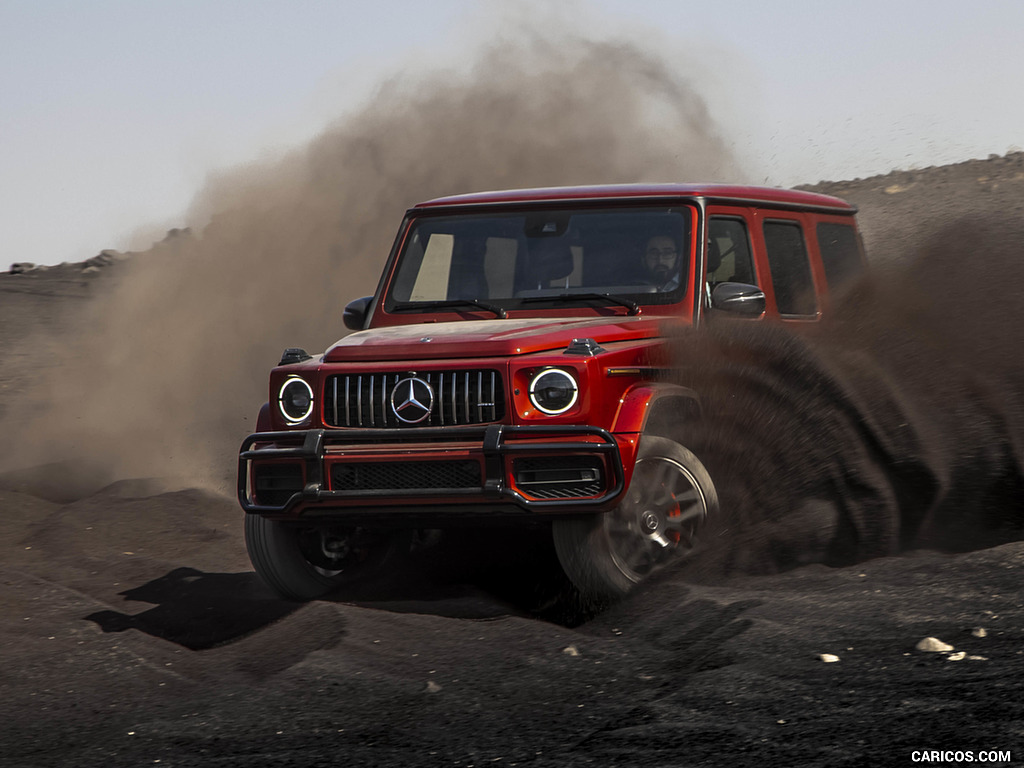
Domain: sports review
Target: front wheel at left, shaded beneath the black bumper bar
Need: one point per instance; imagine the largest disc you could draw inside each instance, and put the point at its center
(304, 563)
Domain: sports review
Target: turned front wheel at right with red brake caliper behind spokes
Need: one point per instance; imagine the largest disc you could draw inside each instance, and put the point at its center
(670, 498)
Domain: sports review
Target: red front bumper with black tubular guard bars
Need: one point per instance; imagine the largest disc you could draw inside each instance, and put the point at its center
(496, 472)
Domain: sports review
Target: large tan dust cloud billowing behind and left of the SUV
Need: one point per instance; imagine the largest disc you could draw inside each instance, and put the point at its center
(166, 371)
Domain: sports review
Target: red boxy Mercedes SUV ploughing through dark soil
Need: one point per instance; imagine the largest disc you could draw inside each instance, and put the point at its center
(515, 367)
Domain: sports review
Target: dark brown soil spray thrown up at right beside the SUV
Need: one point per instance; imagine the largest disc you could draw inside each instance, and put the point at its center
(898, 424)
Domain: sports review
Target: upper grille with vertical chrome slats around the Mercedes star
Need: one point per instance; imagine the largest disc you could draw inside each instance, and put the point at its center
(460, 398)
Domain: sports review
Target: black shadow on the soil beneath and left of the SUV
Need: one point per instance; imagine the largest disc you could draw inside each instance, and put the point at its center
(461, 580)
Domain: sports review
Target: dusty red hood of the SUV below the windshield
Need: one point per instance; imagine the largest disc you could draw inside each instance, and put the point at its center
(490, 338)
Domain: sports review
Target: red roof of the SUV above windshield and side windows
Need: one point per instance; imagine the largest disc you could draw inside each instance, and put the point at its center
(762, 195)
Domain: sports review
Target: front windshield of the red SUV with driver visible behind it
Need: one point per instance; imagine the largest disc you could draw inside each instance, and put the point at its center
(642, 255)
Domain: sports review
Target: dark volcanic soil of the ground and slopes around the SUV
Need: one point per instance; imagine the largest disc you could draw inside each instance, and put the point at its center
(134, 631)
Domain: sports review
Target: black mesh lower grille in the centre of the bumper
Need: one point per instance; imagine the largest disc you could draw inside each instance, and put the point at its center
(405, 476)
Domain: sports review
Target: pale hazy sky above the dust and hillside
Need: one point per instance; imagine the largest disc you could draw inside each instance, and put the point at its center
(113, 113)
